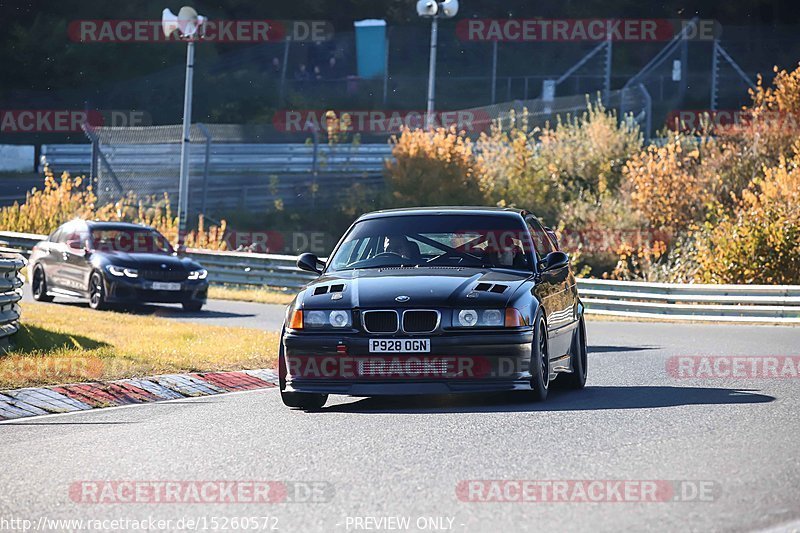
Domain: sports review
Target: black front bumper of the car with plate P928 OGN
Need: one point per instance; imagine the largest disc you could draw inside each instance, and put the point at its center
(458, 362)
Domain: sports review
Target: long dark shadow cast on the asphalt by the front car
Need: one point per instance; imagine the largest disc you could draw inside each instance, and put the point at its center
(589, 399)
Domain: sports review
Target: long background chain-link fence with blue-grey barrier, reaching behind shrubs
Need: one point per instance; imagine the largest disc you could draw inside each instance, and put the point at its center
(234, 168)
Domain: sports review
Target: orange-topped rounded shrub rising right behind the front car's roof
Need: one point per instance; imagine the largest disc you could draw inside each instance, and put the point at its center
(433, 167)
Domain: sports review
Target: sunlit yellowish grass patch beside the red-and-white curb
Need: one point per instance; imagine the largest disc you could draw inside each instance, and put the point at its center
(113, 345)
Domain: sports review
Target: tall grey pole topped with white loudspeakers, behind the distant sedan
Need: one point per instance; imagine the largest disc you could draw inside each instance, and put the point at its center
(190, 26)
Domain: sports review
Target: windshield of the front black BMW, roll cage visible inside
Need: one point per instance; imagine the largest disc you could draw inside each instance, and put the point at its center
(481, 241)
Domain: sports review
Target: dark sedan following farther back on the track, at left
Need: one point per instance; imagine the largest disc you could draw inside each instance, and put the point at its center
(115, 262)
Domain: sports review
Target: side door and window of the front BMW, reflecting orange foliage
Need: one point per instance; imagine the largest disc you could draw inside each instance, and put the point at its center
(556, 294)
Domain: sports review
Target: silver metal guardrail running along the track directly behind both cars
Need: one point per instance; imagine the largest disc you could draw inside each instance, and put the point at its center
(734, 303)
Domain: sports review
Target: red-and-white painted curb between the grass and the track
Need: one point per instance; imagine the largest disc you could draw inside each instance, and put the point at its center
(20, 403)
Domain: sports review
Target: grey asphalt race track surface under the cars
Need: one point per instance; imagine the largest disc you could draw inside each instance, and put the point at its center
(729, 443)
